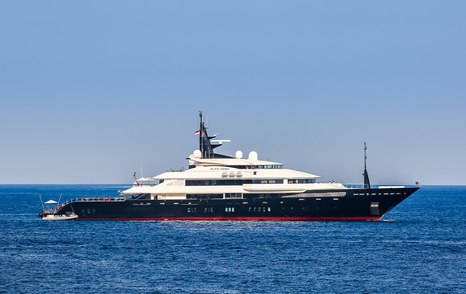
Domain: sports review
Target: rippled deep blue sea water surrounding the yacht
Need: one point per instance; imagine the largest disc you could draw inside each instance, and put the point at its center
(420, 247)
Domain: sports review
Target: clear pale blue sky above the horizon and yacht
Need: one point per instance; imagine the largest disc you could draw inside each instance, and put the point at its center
(91, 91)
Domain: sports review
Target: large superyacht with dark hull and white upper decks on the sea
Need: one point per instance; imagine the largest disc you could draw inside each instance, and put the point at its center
(220, 187)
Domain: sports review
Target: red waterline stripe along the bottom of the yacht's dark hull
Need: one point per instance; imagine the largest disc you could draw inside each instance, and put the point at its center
(247, 218)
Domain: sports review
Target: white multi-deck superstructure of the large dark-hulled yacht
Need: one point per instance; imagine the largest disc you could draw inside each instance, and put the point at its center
(228, 178)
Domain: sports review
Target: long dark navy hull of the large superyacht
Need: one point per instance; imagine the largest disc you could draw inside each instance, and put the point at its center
(342, 205)
